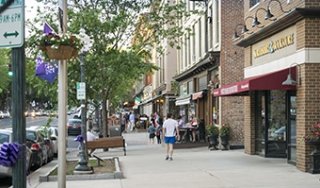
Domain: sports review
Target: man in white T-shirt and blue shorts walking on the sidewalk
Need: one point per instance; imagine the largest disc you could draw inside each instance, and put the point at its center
(170, 130)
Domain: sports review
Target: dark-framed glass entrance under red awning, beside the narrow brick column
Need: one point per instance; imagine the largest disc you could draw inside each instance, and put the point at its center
(271, 123)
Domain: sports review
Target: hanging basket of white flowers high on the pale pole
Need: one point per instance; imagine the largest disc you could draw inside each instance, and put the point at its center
(59, 47)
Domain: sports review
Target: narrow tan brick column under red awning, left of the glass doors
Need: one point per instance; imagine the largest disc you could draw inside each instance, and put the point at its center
(249, 125)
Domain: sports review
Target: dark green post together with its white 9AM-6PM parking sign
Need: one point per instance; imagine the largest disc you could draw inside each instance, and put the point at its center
(12, 36)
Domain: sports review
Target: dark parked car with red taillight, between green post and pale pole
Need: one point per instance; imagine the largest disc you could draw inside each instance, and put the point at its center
(41, 153)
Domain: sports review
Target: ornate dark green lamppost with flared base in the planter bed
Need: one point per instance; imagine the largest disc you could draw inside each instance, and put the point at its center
(82, 167)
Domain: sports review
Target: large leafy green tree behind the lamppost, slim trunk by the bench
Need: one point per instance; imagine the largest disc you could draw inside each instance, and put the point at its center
(115, 61)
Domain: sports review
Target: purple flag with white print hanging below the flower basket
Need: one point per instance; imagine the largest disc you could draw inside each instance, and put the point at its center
(46, 71)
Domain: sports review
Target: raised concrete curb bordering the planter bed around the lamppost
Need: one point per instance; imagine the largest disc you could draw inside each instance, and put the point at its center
(117, 174)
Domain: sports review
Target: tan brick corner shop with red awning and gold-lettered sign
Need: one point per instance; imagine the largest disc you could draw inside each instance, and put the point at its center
(283, 39)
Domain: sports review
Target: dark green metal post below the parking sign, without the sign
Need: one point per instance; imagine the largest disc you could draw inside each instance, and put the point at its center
(18, 120)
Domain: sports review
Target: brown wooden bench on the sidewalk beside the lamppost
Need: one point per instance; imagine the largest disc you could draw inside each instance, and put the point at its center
(107, 142)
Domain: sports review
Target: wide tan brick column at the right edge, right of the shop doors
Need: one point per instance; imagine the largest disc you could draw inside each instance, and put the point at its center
(308, 110)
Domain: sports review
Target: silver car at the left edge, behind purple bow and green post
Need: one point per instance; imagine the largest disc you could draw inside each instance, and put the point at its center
(6, 136)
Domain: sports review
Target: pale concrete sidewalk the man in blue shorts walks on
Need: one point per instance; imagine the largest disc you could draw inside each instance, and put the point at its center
(145, 167)
